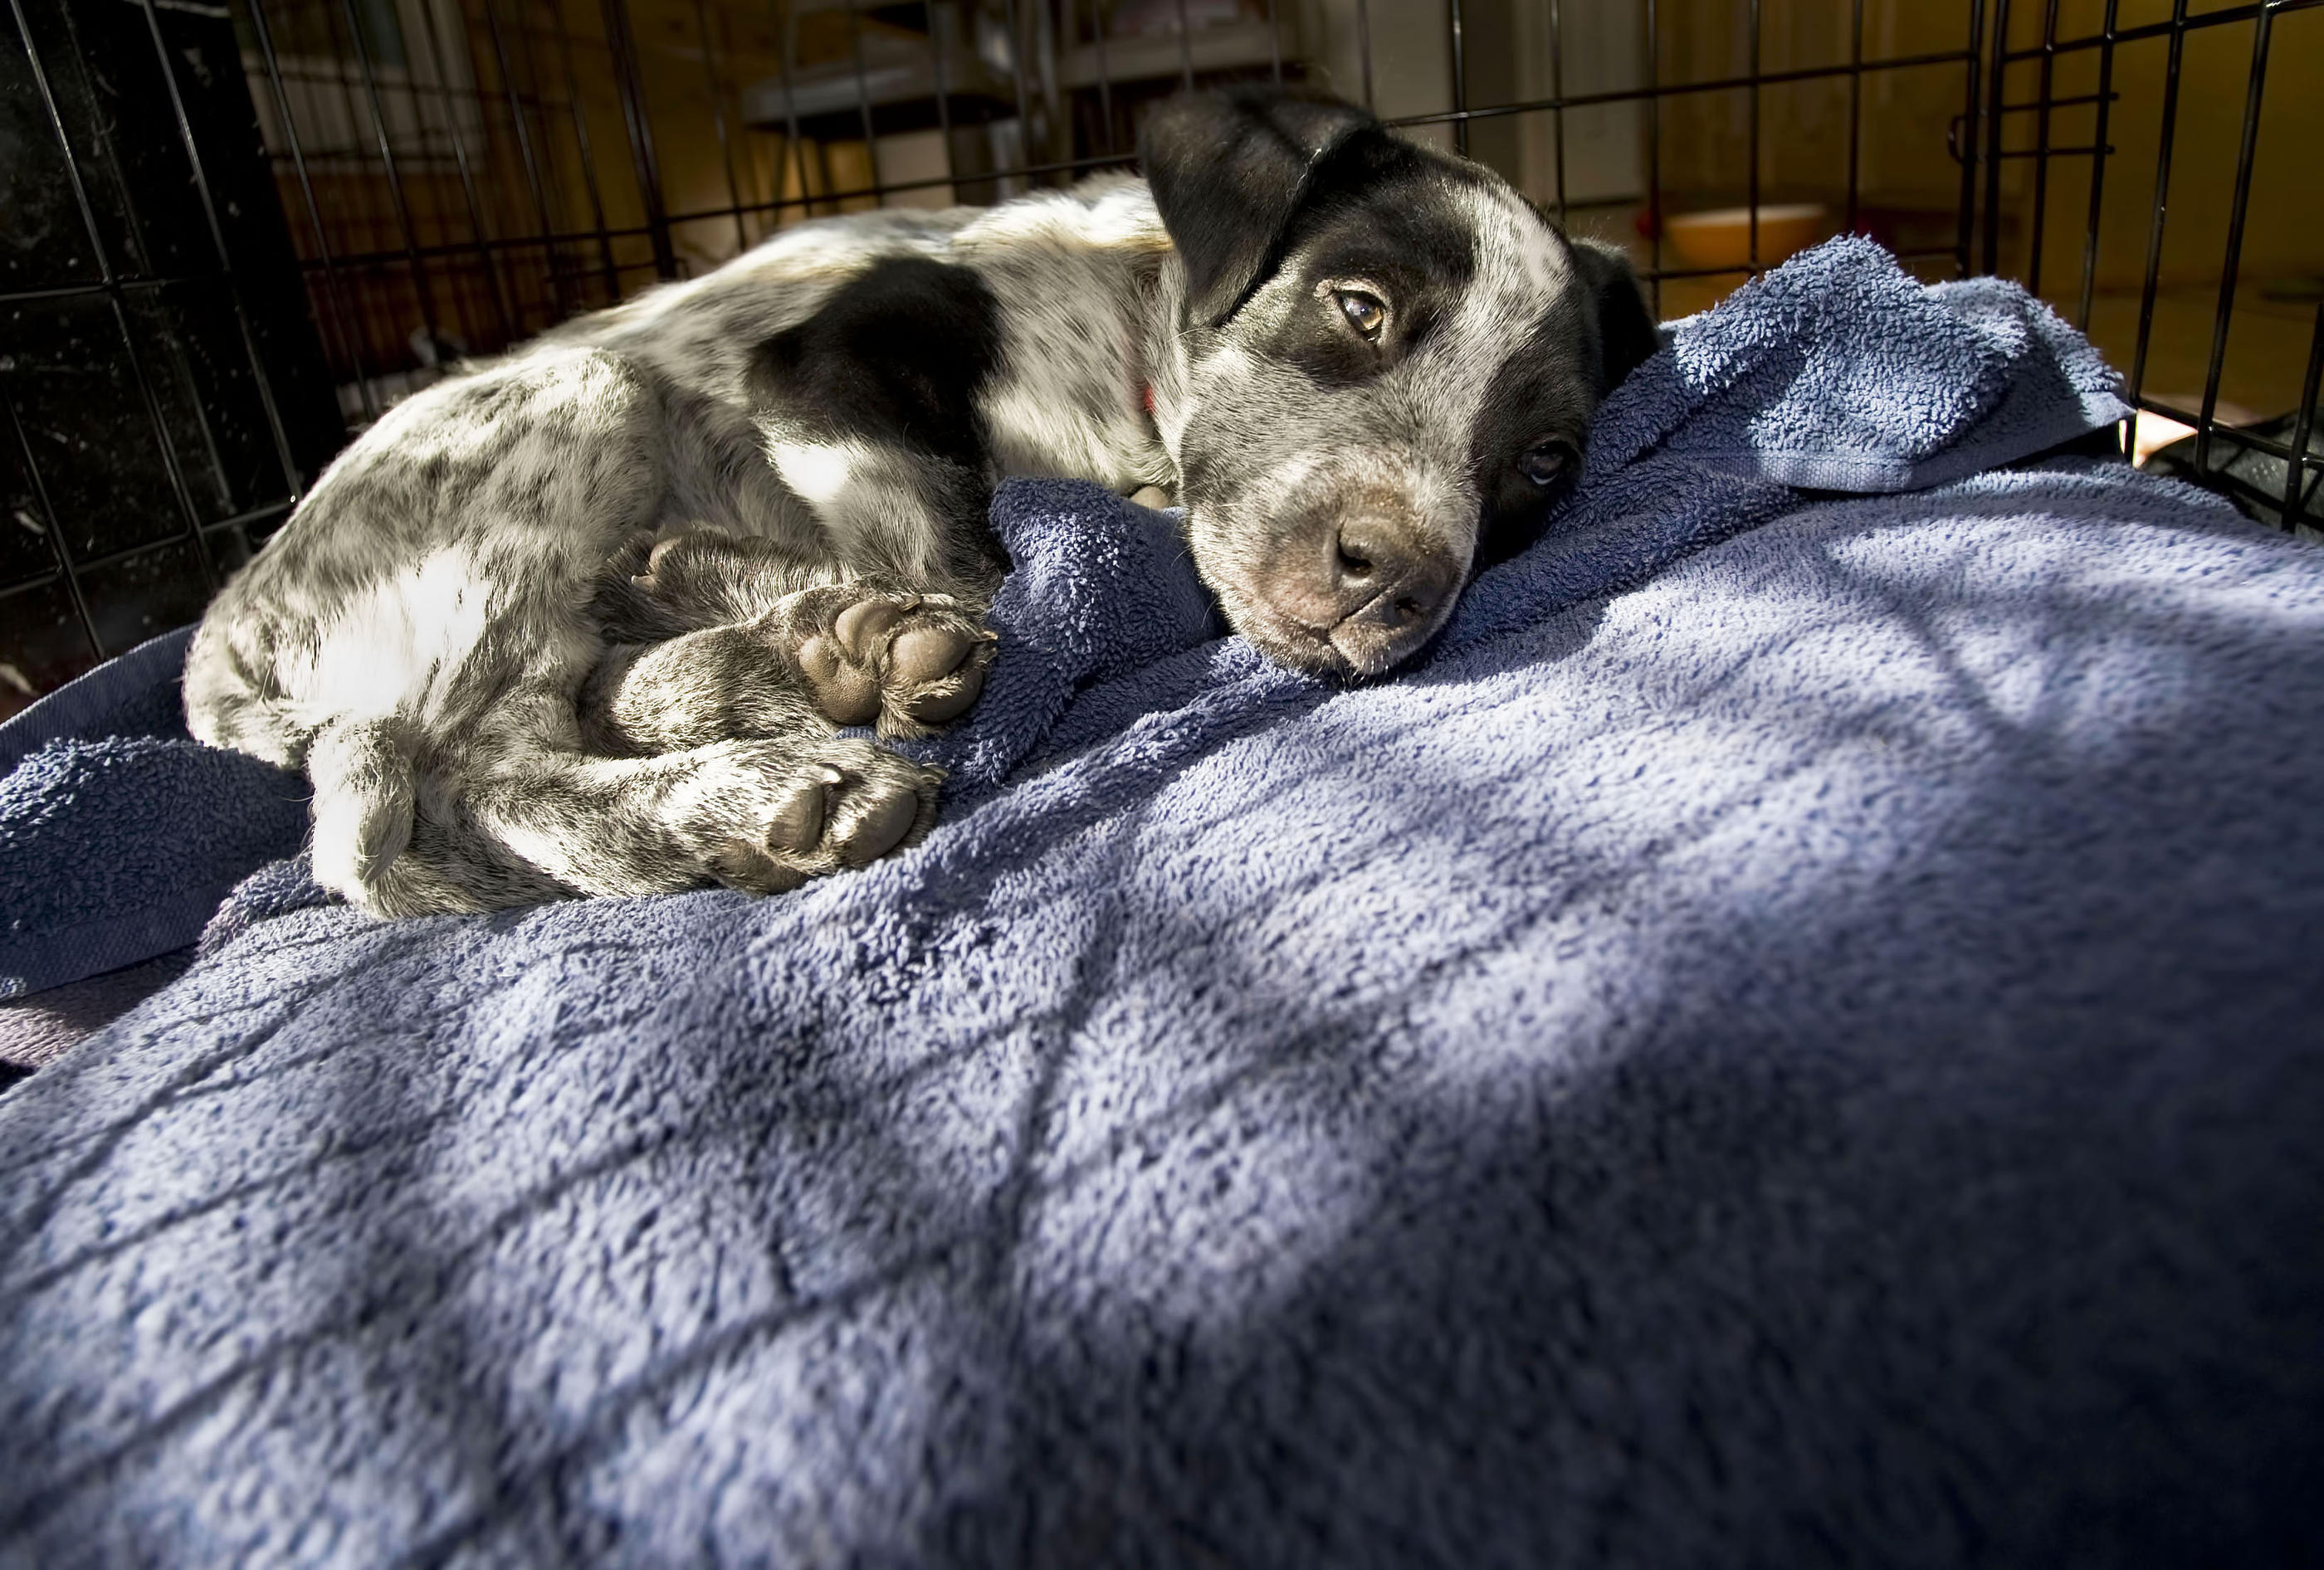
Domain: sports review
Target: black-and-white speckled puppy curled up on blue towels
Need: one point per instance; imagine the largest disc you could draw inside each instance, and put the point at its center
(1358, 363)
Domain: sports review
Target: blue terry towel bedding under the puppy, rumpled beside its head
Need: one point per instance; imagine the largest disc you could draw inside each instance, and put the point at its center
(1791, 1037)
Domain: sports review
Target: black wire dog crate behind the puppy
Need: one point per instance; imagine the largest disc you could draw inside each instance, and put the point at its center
(238, 231)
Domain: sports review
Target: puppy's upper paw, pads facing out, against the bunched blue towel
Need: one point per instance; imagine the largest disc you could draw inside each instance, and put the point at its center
(903, 663)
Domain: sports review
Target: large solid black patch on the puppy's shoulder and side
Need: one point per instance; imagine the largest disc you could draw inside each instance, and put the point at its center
(898, 354)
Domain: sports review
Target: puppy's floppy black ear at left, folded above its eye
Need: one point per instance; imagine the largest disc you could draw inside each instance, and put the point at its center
(1228, 173)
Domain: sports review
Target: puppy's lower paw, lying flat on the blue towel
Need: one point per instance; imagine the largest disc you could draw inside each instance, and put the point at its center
(777, 814)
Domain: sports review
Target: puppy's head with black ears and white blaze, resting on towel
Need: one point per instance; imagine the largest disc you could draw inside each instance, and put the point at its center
(1386, 368)
